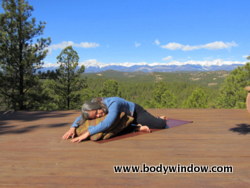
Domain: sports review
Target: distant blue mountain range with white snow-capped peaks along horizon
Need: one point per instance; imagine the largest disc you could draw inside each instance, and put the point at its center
(93, 66)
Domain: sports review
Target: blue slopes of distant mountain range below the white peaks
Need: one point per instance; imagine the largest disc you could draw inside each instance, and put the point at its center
(154, 68)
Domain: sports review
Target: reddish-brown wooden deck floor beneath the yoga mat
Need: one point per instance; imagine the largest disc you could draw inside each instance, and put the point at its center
(32, 153)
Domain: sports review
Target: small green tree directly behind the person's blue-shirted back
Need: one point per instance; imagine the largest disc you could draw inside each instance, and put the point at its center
(110, 89)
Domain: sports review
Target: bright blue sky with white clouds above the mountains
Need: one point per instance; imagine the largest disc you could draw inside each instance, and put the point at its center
(147, 31)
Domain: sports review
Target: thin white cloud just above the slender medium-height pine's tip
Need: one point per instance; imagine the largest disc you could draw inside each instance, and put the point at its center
(64, 44)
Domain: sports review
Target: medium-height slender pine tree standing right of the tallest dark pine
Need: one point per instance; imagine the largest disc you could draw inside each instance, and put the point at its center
(69, 84)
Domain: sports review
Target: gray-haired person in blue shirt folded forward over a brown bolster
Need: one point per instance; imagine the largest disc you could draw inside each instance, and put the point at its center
(113, 106)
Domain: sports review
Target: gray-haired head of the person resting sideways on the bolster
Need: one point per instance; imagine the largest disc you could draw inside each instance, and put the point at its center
(92, 110)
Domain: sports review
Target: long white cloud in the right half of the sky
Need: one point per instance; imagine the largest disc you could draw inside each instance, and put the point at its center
(217, 45)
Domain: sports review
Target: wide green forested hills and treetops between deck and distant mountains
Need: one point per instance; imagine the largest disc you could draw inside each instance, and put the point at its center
(217, 89)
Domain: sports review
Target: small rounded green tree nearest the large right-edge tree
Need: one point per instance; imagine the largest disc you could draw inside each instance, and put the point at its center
(198, 99)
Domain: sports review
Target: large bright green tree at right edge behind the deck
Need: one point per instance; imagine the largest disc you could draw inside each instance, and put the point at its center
(232, 93)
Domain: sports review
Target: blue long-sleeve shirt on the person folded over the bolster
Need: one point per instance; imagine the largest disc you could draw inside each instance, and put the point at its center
(115, 106)
